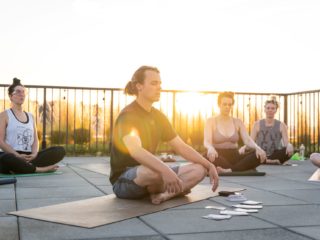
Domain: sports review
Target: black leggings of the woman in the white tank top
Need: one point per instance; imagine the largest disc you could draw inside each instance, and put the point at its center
(9, 163)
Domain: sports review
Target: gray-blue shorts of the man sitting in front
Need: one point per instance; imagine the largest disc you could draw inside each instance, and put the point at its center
(126, 188)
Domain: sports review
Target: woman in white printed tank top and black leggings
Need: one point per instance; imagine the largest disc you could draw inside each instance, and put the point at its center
(19, 141)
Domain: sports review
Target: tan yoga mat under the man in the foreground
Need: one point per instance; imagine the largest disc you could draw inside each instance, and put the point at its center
(94, 212)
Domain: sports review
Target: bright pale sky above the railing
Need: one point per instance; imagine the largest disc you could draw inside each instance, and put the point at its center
(237, 45)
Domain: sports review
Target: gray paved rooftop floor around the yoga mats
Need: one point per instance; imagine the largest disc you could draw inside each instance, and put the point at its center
(291, 207)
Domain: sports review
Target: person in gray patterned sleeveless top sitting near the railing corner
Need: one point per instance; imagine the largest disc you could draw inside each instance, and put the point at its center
(272, 135)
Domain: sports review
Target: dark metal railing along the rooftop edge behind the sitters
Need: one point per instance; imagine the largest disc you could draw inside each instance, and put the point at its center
(82, 119)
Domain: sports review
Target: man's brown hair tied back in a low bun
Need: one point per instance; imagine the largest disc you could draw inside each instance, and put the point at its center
(138, 77)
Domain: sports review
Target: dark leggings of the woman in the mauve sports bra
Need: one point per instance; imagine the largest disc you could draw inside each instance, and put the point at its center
(230, 158)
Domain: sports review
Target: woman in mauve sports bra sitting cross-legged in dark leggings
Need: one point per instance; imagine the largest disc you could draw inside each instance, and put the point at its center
(221, 136)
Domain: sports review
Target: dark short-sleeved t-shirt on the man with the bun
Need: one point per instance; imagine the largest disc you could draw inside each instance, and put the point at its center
(152, 128)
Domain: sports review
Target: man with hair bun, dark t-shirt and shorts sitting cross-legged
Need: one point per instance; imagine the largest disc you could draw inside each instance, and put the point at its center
(135, 170)
